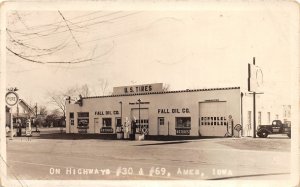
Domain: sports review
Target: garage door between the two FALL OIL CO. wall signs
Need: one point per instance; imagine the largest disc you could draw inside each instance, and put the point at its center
(143, 123)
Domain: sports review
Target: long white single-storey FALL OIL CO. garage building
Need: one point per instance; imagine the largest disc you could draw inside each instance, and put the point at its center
(193, 113)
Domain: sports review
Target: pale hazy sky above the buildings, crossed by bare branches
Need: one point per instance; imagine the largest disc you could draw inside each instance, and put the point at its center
(186, 49)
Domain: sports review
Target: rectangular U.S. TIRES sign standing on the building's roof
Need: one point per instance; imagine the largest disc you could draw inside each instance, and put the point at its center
(146, 88)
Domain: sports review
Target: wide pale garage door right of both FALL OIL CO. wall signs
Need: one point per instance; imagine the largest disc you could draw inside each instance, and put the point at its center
(212, 118)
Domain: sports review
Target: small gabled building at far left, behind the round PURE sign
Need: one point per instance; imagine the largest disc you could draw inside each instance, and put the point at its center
(21, 110)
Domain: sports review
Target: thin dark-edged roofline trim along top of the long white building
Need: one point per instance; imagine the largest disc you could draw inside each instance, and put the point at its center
(164, 92)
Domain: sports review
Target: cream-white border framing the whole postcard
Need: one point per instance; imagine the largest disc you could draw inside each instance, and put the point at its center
(158, 5)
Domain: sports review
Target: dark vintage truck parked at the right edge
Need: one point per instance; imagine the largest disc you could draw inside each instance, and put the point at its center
(277, 127)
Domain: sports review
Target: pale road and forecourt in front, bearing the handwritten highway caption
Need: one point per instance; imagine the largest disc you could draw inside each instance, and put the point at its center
(95, 159)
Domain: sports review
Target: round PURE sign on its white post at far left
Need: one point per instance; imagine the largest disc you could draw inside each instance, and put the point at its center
(11, 99)
